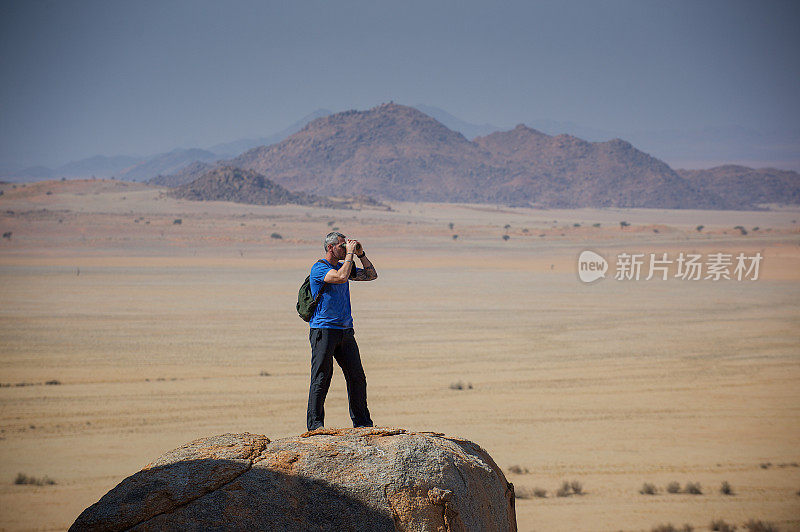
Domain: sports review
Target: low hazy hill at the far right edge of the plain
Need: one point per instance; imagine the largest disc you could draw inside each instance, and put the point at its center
(740, 184)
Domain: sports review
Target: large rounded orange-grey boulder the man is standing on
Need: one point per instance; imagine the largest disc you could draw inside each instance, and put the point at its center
(327, 479)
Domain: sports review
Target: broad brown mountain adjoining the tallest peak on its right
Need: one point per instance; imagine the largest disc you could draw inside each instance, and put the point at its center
(567, 172)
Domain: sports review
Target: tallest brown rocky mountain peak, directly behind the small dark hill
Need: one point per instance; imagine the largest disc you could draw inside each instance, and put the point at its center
(391, 151)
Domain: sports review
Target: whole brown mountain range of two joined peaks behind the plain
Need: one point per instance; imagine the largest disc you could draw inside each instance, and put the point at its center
(396, 152)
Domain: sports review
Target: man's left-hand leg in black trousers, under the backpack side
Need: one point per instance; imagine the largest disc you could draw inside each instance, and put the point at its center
(323, 342)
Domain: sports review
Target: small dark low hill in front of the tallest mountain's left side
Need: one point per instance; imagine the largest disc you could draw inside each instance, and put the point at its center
(228, 183)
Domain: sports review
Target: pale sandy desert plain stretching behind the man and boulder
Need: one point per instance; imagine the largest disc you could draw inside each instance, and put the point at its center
(159, 333)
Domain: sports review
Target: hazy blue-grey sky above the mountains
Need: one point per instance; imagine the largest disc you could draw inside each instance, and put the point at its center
(81, 78)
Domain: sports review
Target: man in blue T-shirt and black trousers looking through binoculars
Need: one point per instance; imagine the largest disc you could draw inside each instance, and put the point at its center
(331, 333)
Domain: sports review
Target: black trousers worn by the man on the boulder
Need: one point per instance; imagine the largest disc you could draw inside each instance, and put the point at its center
(327, 344)
